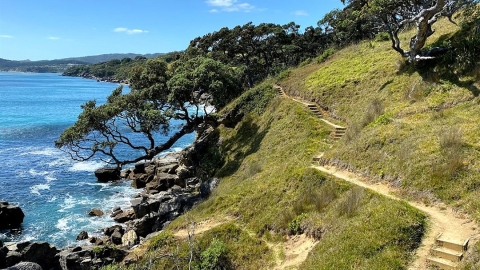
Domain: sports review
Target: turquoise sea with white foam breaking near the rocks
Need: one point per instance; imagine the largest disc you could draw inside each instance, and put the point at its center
(54, 192)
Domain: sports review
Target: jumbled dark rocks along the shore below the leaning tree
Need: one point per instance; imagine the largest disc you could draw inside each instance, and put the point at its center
(169, 186)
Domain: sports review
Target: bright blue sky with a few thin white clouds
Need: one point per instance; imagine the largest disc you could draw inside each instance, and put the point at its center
(54, 29)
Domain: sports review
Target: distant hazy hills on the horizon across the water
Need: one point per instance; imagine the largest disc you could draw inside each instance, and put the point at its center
(60, 65)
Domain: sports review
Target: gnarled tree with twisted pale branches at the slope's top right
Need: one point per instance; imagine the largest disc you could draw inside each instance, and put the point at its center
(396, 15)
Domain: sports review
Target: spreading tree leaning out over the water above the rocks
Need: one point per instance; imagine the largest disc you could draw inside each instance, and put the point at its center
(158, 96)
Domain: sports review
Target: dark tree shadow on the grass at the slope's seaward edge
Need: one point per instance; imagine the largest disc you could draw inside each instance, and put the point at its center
(246, 142)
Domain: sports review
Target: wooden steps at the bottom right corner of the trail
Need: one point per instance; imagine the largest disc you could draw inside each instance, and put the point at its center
(446, 254)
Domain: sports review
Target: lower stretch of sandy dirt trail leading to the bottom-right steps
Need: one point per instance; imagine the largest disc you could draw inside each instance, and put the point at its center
(453, 226)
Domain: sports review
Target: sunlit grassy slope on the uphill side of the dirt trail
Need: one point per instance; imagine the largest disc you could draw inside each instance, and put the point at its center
(415, 127)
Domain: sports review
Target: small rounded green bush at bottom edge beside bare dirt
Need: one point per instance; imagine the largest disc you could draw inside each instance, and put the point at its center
(215, 257)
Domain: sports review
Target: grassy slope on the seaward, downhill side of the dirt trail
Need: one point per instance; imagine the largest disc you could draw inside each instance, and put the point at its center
(267, 192)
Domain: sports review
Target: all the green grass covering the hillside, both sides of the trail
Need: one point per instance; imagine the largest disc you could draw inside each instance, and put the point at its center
(415, 127)
